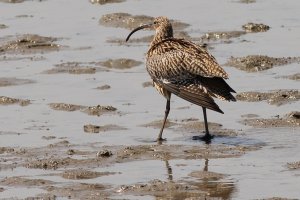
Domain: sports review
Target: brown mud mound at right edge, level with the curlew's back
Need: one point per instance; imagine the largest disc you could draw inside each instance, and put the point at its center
(255, 63)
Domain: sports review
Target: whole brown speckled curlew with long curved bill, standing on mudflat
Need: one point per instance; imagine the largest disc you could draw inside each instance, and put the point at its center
(181, 67)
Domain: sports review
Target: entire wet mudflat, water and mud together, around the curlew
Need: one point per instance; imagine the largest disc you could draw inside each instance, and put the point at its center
(79, 116)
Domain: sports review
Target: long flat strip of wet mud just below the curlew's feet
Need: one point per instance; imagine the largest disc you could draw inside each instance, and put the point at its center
(47, 157)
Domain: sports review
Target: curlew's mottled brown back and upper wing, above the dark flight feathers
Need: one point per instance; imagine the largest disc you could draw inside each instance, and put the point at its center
(179, 53)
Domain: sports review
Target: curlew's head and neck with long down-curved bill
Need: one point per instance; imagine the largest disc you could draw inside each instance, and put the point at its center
(161, 25)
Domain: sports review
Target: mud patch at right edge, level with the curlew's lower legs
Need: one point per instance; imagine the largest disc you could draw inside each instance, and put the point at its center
(289, 120)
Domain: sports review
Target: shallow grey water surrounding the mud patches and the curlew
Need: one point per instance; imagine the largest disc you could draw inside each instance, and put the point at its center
(257, 174)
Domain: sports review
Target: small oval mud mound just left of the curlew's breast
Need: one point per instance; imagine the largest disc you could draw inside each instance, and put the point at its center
(121, 63)
